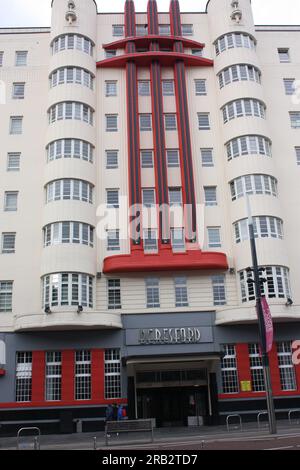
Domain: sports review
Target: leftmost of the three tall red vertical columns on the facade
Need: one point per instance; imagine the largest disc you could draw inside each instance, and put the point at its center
(133, 126)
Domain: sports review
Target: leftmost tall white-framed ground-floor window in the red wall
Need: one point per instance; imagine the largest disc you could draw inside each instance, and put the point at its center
(23, 376)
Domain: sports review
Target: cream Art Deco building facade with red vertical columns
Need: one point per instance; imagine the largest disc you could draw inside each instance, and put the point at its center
(84, 74)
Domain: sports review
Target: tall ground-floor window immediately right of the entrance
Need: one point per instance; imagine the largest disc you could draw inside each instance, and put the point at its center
(230, 383)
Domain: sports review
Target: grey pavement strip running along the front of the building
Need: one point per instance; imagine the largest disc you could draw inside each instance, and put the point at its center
(198, 438)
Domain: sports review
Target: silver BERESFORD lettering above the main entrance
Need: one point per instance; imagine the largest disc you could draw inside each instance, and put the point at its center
(169, 335)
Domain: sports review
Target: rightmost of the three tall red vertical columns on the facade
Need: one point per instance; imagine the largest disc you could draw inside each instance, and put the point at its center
(188, 187)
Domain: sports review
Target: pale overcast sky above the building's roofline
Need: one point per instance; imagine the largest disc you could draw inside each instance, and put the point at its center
(37, 12)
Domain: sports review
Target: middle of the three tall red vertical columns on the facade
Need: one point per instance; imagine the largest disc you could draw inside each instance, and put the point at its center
(158, 125)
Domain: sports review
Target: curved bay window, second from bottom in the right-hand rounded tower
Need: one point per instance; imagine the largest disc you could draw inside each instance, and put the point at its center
(264, 227)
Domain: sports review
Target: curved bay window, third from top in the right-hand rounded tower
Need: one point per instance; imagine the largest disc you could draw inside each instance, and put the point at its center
(244, 107)
